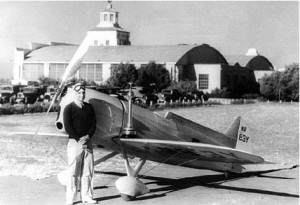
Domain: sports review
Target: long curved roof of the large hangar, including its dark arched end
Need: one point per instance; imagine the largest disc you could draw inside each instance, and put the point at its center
(178, 54)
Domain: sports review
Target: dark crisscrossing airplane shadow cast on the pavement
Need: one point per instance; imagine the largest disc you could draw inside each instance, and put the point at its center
(168, 185)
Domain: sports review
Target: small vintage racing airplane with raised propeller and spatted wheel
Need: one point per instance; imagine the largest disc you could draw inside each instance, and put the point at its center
(125, 128)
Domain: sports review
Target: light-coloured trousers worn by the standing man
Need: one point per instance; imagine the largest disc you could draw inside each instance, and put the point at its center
(80, 171)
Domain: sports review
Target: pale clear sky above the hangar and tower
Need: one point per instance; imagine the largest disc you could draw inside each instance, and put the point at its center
(231, 27)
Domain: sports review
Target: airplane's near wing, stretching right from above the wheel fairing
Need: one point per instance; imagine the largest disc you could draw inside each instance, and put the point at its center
(182, 152)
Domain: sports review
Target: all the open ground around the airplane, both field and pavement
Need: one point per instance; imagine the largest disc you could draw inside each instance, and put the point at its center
(28, 165)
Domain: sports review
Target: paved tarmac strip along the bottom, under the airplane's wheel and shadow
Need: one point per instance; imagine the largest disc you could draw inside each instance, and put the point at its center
(168, 185)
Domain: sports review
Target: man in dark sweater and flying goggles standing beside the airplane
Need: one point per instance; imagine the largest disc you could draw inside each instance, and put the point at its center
(80, 124)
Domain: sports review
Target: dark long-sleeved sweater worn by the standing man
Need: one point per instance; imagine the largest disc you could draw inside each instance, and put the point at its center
(79, 121)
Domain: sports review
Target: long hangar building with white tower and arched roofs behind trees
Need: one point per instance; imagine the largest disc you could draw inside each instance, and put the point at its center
(109, 45)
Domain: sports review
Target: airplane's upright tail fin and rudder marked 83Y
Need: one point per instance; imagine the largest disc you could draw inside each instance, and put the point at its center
(241, 133)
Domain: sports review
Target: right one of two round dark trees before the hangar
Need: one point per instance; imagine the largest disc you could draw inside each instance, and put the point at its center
(153, 75)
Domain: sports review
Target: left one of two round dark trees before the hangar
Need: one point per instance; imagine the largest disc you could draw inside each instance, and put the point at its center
(122, 75)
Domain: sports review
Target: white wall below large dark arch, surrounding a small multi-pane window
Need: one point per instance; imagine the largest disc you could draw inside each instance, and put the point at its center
(214, 73)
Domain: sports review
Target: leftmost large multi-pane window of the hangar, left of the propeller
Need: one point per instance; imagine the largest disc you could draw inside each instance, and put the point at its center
(32, 71)
